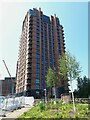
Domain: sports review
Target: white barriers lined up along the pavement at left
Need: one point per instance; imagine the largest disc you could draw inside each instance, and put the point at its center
(10, 104)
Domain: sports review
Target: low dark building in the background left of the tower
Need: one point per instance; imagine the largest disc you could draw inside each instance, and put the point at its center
(6, 86)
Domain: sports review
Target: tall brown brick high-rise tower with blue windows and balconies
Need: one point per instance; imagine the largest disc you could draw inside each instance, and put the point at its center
(41, 44)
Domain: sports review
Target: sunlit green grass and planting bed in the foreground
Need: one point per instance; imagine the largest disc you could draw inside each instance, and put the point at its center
(60, 110)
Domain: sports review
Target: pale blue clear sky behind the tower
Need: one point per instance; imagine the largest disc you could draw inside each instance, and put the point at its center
(72, 15)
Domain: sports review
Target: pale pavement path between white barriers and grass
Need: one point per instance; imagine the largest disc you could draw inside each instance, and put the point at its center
(15, 114)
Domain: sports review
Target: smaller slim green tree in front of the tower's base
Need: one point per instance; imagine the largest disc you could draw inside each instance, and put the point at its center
(52, 80)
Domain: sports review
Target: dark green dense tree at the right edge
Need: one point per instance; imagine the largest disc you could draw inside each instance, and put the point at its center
(83, 85)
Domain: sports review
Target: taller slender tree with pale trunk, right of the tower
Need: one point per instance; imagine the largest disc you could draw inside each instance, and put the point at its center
(69, 69)
